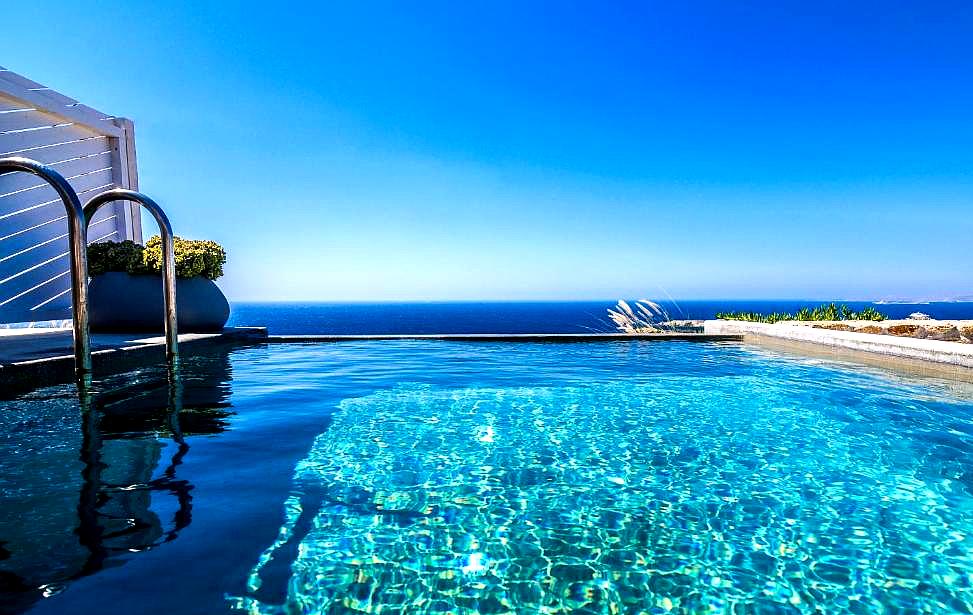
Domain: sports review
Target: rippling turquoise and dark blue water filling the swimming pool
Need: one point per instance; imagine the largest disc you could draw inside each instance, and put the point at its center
(437, 477)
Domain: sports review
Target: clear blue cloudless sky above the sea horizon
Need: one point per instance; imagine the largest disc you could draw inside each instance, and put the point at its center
(541, 150)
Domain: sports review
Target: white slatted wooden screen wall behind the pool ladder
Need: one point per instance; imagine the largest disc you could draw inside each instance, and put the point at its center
(94, 152)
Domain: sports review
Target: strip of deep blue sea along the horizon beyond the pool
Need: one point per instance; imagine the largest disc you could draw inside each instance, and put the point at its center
(513, 317)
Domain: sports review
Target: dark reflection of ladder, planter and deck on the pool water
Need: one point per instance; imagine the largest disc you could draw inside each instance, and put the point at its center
(93, 477)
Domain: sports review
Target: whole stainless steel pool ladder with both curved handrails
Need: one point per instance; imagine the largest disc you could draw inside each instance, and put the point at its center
(78, 219)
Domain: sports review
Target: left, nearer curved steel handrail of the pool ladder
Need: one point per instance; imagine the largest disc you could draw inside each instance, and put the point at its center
(77, 242)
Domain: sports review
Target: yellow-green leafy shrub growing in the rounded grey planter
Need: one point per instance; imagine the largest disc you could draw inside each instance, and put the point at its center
(193, 257)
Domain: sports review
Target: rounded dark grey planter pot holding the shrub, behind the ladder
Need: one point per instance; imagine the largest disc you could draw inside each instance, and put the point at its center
(123, 303)
